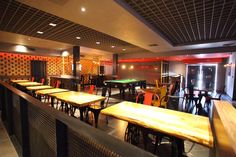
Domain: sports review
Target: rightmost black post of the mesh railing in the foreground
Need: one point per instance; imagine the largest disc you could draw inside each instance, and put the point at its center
(61, 138)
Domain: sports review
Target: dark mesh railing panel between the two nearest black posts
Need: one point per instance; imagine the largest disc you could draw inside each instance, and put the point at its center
(41, 133)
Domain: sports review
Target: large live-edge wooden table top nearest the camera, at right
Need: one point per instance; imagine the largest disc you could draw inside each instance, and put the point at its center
(179, 124)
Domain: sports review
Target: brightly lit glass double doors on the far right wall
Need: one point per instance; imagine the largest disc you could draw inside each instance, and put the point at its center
(202, 76)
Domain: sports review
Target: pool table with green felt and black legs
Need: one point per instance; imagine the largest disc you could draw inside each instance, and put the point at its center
(124, 84)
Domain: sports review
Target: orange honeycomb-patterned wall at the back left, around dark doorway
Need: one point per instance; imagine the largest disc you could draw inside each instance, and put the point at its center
(12, 64)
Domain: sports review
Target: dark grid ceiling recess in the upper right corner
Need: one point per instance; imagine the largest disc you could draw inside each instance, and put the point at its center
(184, 22)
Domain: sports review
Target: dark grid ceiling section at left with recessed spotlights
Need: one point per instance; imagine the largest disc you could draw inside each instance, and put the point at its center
(19, 18)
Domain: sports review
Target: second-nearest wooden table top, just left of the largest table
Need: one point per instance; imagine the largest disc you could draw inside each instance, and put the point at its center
(78, 98)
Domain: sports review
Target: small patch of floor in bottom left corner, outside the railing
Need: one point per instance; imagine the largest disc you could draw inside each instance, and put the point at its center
(6, 147)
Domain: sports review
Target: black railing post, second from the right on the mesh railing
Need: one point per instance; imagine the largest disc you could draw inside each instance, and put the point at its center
(24, 127)
